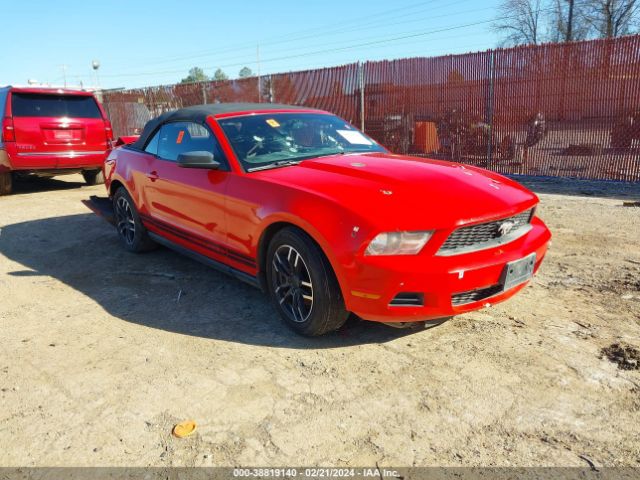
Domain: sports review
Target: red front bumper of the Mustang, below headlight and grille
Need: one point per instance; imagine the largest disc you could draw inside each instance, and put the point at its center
(376, 281)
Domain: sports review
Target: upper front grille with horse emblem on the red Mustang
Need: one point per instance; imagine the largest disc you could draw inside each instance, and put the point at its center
(484, 235)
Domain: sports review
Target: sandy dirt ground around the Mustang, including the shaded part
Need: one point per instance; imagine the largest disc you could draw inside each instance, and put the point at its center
(103, 351)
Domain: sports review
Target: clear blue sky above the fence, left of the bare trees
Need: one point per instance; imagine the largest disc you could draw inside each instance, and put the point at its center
(148, 42)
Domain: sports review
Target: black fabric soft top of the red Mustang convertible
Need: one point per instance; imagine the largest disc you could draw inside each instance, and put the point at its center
(199, 113)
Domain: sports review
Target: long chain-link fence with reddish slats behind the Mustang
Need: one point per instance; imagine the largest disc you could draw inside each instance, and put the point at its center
(570, 110)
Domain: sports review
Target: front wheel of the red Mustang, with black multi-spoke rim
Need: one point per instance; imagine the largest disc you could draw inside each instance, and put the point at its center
(302, 284)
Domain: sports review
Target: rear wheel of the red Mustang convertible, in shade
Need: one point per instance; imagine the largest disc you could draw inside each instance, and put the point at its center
(132, 234)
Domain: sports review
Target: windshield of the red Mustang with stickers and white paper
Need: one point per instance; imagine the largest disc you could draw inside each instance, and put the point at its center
(282, 138)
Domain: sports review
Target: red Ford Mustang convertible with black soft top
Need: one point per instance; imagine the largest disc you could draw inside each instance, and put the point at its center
(302, 204)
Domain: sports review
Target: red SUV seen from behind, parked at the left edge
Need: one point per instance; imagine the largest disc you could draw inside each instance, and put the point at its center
(51, 131)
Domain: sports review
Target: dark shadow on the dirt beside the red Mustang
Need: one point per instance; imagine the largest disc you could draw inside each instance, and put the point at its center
(162, 289)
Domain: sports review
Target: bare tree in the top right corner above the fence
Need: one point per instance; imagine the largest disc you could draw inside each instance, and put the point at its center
(612, 18)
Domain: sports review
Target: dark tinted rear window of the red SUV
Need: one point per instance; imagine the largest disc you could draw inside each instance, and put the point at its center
(37, 105)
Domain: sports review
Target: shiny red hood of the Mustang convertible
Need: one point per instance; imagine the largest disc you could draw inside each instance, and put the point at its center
(404, 192)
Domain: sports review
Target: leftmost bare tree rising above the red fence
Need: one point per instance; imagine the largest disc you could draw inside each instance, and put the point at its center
(520, 21)
